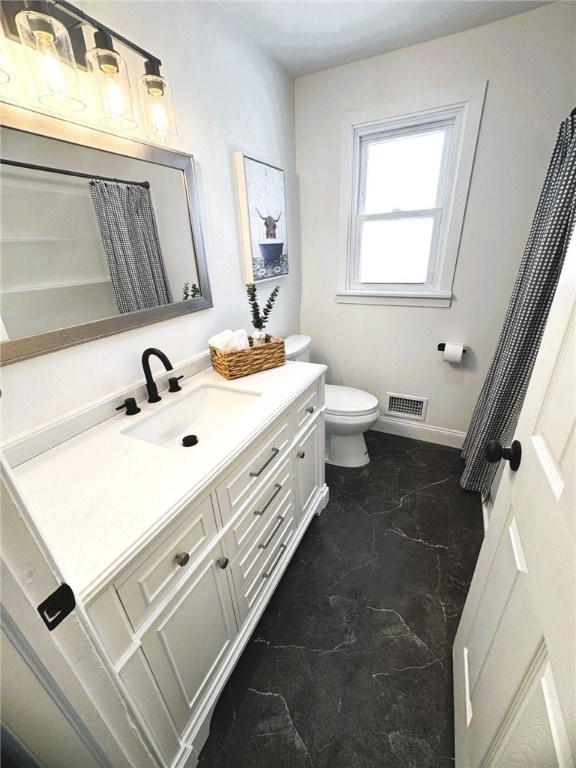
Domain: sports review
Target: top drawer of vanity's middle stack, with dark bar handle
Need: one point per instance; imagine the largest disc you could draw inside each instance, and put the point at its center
(254, 470)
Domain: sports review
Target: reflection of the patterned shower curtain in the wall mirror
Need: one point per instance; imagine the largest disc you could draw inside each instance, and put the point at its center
(130, 238)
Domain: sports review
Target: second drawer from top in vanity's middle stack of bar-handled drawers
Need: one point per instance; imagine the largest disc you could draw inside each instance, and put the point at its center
(261, 508)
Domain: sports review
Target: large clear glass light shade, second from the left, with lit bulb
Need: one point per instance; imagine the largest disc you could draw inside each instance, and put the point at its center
(50, 60)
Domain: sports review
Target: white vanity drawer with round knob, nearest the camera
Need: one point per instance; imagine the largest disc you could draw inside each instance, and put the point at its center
(159, 568)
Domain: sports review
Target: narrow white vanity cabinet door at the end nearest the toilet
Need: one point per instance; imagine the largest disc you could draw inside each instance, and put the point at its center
(309, 467)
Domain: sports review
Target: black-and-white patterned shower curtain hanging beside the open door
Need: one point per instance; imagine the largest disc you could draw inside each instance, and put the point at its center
(503, 392)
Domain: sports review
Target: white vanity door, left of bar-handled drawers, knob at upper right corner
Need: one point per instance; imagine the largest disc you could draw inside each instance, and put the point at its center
(188, 641)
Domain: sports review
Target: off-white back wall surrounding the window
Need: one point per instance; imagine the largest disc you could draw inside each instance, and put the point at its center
(529, 61)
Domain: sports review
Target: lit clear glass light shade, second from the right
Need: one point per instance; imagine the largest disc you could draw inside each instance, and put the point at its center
(110, 75)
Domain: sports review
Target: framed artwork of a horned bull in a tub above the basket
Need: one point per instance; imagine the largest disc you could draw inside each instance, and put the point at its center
(263, 215)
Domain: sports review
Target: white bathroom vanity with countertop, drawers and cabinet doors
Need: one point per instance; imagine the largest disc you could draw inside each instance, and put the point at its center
(173, 612)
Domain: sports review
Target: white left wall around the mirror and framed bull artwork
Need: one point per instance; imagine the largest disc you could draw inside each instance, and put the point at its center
(229, 96)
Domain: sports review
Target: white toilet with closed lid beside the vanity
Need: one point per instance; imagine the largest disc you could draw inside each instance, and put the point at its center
(349, 413)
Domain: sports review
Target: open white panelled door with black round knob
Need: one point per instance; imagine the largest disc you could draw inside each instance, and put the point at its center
(514, 653)
